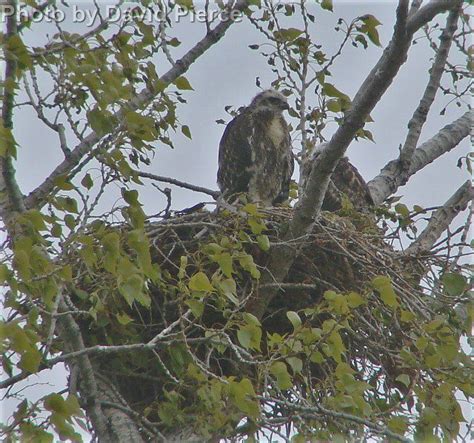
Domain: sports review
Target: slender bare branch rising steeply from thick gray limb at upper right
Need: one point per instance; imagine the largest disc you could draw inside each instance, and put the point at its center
(418, 119)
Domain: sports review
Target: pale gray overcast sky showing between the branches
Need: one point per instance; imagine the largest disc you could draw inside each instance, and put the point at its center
(226, 76)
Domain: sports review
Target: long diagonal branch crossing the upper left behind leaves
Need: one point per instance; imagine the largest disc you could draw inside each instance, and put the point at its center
(37, 197)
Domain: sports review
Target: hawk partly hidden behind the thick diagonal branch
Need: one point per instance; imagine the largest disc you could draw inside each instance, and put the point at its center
(346, 181)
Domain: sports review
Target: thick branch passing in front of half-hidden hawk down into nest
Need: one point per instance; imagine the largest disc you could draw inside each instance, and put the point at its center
(309, 204)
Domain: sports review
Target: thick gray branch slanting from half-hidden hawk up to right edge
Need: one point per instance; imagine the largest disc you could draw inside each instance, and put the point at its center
(391, 176)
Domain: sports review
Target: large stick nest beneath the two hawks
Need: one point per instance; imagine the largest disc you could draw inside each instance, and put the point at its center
(343, 254)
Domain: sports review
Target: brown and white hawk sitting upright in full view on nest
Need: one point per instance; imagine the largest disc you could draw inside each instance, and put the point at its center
(255, 151)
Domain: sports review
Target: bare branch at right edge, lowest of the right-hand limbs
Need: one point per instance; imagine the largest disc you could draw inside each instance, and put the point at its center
(441, 219)
